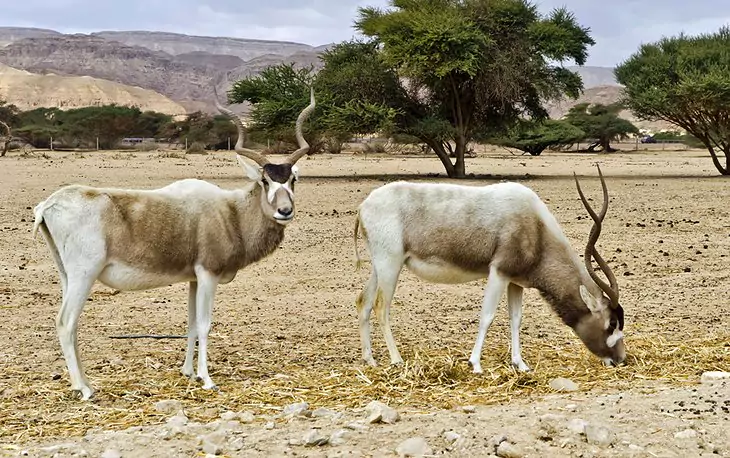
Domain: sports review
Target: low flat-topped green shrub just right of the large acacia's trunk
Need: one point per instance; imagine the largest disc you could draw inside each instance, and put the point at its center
(534, 137)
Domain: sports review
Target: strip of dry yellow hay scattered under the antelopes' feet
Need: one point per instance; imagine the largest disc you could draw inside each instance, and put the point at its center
(429, 379)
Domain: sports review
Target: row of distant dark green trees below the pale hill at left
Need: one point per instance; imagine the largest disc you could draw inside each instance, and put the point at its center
(109, 124)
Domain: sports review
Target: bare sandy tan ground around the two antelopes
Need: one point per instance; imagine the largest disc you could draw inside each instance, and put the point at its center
(667, 237)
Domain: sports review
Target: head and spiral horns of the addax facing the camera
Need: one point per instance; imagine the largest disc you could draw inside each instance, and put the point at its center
(276, 180)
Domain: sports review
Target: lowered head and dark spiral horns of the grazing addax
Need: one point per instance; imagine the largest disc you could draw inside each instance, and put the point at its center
(601, 330)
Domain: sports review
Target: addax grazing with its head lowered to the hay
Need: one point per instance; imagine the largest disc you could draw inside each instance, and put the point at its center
(446, 233)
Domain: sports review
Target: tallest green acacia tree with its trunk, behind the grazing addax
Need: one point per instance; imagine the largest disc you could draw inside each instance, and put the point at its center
(472, 67)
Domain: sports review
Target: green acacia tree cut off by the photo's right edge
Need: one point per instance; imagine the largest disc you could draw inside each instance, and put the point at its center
(685, 81)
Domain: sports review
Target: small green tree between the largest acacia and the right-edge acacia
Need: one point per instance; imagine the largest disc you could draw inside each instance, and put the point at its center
(601, 123)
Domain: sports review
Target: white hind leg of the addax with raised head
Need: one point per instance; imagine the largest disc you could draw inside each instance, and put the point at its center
(77, 290)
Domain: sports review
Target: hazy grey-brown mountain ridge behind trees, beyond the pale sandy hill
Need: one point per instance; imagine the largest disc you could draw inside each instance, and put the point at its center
(185, 68)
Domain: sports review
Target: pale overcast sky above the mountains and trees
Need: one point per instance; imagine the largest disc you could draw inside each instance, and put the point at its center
(618, 29)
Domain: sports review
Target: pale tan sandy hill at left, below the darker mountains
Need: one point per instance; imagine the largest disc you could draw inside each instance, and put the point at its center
(28, 90)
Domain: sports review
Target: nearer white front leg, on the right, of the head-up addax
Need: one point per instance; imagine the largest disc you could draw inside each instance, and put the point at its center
(207, 284)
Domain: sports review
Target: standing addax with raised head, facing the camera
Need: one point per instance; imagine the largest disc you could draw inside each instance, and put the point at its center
(189, 231)
